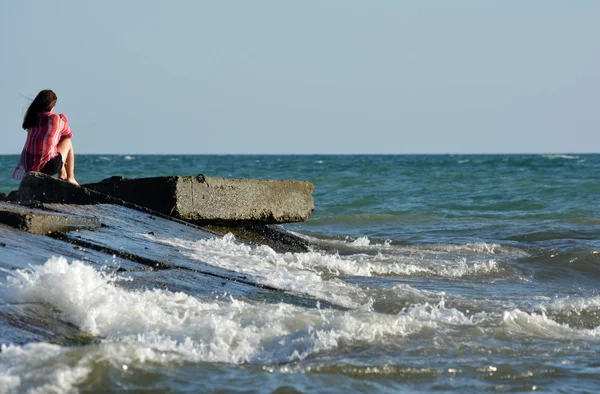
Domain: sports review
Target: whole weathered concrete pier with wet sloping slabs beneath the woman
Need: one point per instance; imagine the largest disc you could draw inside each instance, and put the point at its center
(120, 222)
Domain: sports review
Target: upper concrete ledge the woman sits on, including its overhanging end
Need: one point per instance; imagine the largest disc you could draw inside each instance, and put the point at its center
(160, 196)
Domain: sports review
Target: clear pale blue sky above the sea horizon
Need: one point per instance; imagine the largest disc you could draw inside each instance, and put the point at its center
(201, 77)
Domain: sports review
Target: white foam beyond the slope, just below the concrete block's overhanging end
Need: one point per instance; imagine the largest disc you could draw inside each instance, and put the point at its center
(314, 273)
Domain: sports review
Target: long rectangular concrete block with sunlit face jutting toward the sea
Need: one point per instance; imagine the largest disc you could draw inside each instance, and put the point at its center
(216, 200)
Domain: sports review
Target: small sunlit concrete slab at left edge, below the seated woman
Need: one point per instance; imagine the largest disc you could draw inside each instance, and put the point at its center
(38, 221)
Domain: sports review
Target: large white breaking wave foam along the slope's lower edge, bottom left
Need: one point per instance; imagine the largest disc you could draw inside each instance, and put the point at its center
(159, 326)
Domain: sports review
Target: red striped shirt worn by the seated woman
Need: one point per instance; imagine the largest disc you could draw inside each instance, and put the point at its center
(41, 143)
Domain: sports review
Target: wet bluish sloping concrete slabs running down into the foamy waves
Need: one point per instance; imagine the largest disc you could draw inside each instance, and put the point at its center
(128, 242)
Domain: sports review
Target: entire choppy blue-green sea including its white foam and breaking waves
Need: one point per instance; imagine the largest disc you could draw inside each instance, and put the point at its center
(436, 273)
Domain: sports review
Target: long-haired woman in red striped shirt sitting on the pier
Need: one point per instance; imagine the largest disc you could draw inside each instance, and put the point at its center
(48, 147)
